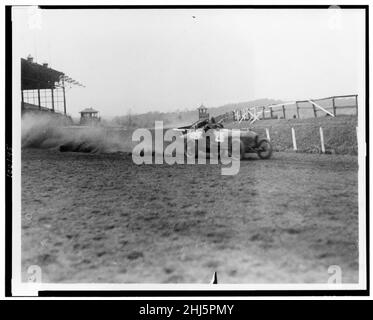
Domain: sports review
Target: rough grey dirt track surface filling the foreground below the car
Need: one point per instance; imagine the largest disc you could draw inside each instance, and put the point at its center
(104, 219)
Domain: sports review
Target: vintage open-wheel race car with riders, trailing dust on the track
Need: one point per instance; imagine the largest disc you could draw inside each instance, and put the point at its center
(215, 138)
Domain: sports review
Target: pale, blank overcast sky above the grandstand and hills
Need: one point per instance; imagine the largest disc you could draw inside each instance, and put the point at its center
(165, 60)
